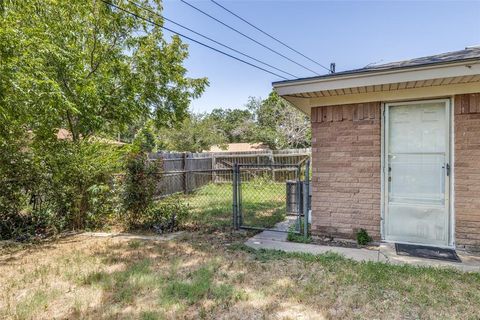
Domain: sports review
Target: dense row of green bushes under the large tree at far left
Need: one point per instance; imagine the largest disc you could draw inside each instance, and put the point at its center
(52, 185)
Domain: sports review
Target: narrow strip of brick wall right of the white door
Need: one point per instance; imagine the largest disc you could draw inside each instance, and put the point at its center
(467, 171)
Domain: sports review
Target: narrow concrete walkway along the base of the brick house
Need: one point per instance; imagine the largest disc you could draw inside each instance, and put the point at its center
(384, 253)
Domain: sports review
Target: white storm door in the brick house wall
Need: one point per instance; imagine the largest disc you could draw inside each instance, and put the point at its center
(417, 172)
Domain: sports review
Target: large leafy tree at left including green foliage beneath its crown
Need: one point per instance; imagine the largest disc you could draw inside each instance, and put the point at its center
(93, 70)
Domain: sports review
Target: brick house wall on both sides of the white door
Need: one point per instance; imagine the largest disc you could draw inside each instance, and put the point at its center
(346, 178)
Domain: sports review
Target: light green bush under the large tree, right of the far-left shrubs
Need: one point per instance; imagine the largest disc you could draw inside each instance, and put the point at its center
(78, 182)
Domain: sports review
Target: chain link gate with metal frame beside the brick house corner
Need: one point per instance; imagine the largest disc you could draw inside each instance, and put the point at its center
(271, 197)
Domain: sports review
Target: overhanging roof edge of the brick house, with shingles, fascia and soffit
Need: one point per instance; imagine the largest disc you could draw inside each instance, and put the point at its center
(444, 75)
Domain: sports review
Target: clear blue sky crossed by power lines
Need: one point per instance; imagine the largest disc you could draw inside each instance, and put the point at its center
(350, 33)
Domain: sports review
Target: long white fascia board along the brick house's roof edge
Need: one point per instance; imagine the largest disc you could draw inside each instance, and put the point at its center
(378, 78)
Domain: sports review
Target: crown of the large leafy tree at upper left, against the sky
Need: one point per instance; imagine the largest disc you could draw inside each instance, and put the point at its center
(90, 68)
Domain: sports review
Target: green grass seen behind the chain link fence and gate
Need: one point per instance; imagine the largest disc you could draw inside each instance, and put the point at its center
(263, 205)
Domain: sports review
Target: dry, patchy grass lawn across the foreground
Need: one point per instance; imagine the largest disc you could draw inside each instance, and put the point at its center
(213, 276)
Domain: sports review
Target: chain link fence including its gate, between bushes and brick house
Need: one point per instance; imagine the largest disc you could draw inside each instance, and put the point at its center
(251, 196)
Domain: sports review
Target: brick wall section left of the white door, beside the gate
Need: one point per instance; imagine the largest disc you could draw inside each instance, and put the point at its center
(346, 155)
